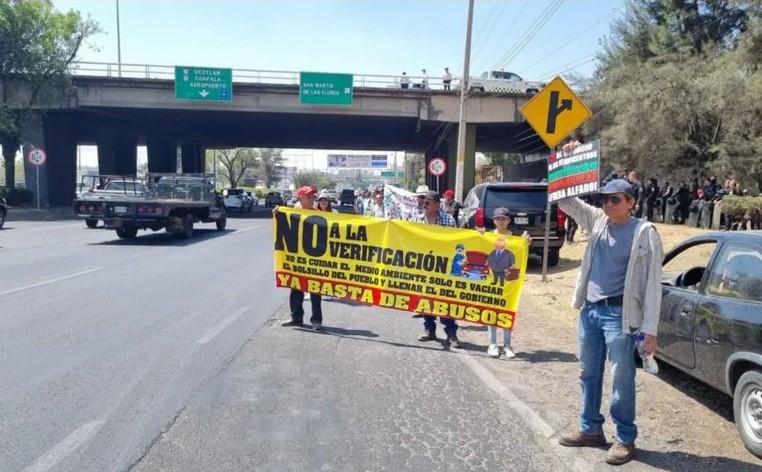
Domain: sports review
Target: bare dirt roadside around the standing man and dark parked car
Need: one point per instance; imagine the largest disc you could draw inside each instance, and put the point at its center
(681, 421)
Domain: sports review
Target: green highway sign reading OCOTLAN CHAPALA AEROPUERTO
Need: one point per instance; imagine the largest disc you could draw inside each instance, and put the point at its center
(203, 83)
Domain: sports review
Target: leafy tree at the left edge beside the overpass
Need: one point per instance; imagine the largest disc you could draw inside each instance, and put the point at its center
(37, 47)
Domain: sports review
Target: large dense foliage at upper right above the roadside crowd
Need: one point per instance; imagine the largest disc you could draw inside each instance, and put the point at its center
(678, 92)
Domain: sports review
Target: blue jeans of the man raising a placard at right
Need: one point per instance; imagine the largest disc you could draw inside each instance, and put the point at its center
(600, 331)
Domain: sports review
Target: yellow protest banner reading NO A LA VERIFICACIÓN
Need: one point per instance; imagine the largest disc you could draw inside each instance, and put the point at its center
(434, 270)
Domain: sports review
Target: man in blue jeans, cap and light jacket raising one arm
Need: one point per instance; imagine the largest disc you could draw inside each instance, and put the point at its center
(619, 295)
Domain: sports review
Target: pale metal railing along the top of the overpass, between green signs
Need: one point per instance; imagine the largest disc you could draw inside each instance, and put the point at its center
(252, 76)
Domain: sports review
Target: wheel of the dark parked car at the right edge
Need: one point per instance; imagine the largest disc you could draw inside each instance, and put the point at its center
(747, 410)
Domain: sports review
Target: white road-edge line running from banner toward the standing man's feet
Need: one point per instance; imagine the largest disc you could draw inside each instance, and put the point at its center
(531, 417)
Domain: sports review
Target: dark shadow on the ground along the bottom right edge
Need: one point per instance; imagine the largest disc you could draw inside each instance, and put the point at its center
(675, 461)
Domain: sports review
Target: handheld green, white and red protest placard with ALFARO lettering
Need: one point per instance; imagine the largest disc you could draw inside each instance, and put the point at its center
(574, 171)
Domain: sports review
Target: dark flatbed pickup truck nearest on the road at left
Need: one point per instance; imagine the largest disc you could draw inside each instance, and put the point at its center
(173, 202)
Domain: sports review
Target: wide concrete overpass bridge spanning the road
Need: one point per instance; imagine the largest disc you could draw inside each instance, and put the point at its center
(118, 113)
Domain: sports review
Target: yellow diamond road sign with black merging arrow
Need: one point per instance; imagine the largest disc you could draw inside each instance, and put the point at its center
(555, 112)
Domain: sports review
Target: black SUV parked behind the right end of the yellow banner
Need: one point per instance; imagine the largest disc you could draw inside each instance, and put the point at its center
(526, 203)
